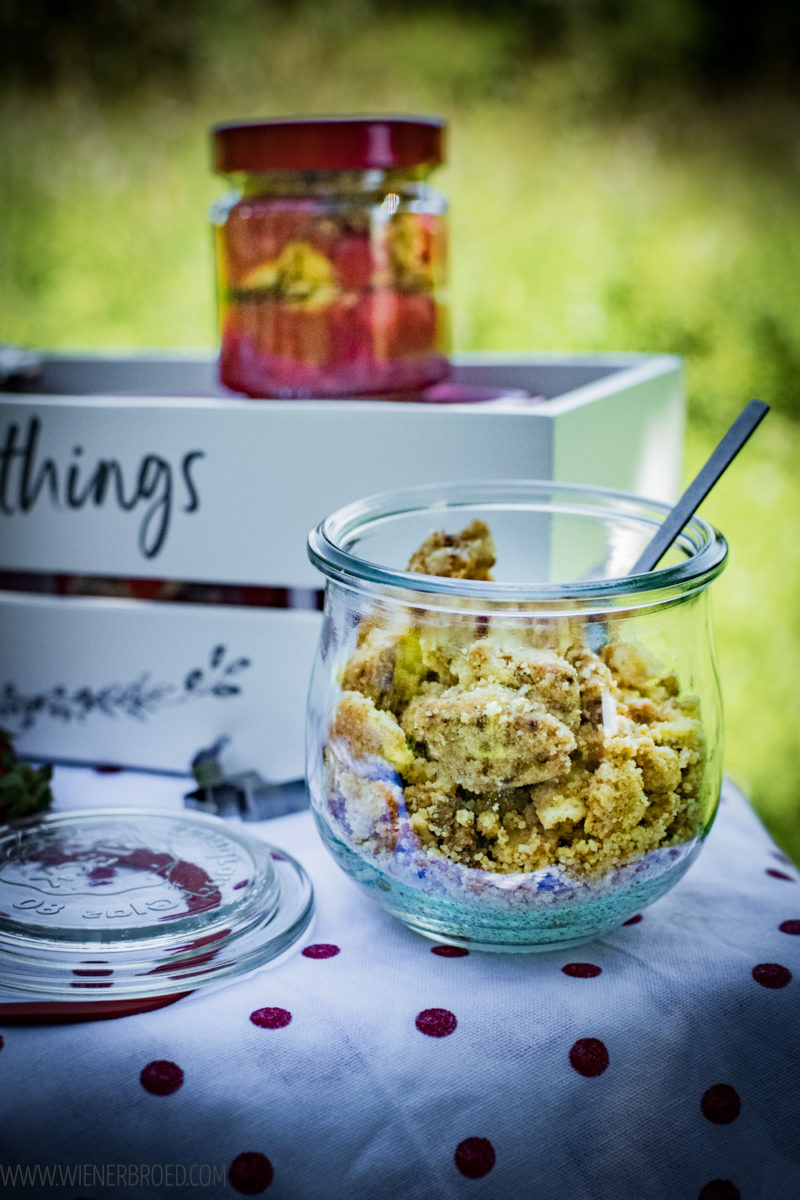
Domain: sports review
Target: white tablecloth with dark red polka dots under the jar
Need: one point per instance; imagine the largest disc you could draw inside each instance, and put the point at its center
(659, 1064)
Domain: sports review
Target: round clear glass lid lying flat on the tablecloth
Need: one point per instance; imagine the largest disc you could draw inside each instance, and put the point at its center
(134, 904)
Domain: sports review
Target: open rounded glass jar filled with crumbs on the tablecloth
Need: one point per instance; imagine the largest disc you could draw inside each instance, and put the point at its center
(521, 760)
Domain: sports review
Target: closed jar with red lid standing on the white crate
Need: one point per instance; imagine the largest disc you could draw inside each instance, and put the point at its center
(332, 256)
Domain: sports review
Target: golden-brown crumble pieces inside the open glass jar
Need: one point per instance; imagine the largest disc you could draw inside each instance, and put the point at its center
(514, 747)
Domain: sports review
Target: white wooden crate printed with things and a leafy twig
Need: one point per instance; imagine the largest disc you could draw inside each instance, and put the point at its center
(142, 467)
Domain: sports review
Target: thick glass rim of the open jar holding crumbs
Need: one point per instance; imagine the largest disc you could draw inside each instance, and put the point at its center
(705, 547)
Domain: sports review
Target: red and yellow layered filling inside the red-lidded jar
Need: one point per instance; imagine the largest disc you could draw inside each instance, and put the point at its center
(329, 303)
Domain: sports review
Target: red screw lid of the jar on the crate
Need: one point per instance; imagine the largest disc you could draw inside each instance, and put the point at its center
(328, 143)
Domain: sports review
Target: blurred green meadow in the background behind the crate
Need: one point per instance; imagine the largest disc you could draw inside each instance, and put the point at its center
(623, 177)
